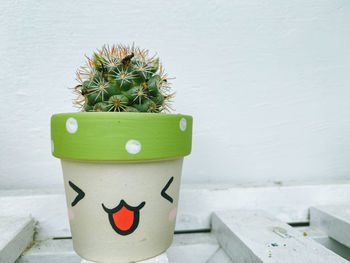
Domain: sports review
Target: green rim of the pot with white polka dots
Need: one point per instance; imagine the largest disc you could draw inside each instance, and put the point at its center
(122, 136)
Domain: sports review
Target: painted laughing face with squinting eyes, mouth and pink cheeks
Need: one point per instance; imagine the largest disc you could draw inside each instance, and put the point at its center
(124, 218)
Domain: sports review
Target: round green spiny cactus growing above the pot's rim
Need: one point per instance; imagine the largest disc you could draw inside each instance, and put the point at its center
(123, 79)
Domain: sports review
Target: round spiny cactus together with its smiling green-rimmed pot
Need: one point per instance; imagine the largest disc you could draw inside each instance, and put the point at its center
(121, 157)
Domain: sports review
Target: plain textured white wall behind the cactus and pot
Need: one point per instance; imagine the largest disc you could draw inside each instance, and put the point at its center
(267, 82)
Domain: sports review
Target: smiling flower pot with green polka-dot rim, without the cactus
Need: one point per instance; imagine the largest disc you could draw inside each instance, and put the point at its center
(122, 175)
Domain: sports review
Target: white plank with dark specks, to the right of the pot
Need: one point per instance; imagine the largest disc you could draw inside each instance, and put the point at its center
(255, 236)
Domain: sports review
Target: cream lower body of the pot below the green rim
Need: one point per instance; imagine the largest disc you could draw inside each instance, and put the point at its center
(122, 211)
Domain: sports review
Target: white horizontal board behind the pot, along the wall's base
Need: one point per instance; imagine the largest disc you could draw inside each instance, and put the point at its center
(197, 202)
